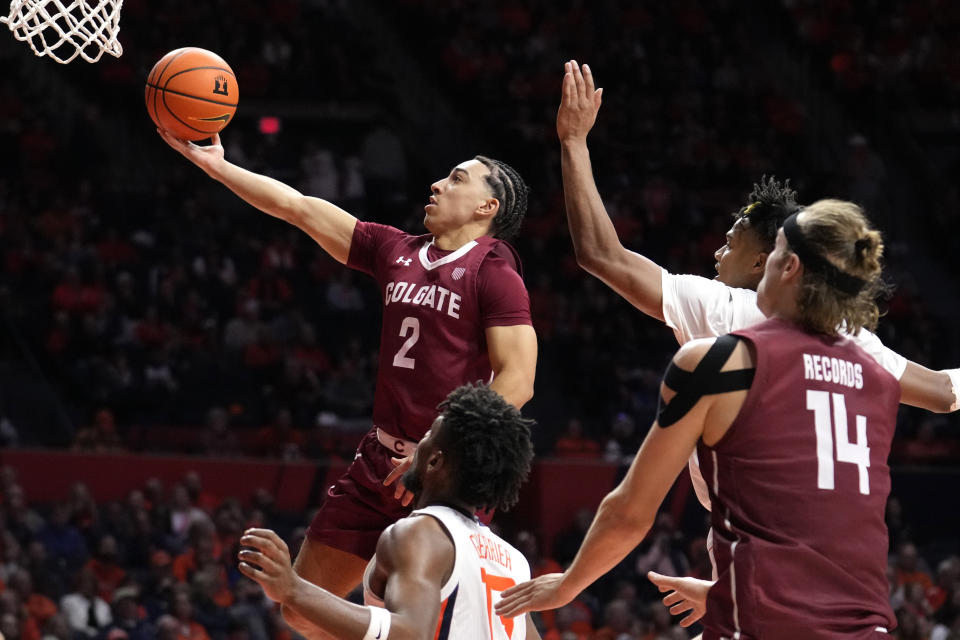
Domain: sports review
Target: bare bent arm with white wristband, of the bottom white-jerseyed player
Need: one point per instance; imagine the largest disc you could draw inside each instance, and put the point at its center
(413, 557)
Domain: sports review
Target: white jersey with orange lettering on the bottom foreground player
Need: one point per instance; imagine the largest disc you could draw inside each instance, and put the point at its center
(484, 566)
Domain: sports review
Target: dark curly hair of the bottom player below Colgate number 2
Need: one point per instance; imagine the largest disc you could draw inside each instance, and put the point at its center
(489, 443)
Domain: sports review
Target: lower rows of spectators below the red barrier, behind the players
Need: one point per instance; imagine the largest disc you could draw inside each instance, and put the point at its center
(161, 563)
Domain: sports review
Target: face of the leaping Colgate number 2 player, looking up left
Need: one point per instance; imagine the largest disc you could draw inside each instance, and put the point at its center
(456, 199)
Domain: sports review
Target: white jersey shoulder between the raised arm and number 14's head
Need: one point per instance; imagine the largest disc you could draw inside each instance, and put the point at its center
(695, 307)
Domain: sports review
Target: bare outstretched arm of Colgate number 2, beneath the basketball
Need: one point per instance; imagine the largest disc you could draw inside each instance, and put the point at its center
(329, 225)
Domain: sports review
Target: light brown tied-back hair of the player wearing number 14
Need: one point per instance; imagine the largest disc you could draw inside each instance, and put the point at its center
(839, 232)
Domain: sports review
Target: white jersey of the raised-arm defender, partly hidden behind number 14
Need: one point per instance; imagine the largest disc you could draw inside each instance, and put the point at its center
(696, 307)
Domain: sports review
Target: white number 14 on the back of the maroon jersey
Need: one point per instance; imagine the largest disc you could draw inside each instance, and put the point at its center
(828, 430)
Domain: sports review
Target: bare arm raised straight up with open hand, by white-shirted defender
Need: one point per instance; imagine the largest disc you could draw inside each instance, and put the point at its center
(595, 239)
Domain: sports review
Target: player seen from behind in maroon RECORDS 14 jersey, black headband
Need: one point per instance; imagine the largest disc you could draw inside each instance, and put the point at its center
(771, 410)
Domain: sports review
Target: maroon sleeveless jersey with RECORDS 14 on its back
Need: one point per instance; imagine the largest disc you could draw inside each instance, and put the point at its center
(799, 484)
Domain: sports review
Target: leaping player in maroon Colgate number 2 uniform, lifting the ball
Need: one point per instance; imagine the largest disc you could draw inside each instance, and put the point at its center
(455, 310)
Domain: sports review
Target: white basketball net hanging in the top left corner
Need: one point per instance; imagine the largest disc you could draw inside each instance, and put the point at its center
(65, 29)
